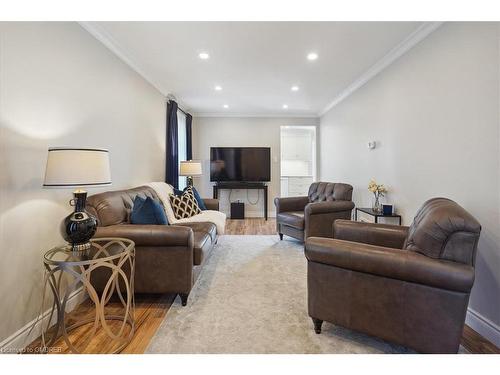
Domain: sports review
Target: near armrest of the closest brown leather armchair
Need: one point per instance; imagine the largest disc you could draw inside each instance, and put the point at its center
(391, 263)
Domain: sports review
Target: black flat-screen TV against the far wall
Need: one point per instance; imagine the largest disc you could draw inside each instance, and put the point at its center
(247, 164)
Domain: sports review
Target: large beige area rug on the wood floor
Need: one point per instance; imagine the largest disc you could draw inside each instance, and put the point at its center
(251, 298)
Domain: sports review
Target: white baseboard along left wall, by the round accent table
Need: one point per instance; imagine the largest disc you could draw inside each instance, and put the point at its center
(16, 342)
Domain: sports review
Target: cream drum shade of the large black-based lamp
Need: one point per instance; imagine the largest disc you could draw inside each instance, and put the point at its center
(77, 167)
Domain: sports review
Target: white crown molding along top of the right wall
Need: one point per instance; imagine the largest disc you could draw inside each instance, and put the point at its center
(404, 46)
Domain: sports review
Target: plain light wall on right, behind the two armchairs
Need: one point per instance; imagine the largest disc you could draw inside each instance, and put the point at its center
(435, 116)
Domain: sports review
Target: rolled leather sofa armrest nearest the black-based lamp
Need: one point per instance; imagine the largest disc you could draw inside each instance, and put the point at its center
(150, 235)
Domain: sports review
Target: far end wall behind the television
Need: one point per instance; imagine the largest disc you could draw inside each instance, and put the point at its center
(240, 132)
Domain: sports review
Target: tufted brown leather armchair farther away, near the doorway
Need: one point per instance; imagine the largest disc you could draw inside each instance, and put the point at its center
(314, 214)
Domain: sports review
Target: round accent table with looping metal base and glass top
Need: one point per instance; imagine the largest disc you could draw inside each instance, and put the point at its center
(104, 271)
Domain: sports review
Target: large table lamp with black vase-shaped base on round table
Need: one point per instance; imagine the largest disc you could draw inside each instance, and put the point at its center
(77, 168)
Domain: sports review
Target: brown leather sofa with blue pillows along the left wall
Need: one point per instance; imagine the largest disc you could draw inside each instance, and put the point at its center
(168, 258)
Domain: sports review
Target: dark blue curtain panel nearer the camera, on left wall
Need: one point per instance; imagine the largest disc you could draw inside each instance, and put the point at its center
(172, 157)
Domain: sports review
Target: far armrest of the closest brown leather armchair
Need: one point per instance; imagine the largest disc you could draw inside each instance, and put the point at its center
(393, 236)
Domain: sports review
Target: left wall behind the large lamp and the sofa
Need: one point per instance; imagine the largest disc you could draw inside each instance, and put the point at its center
(61, 87)
